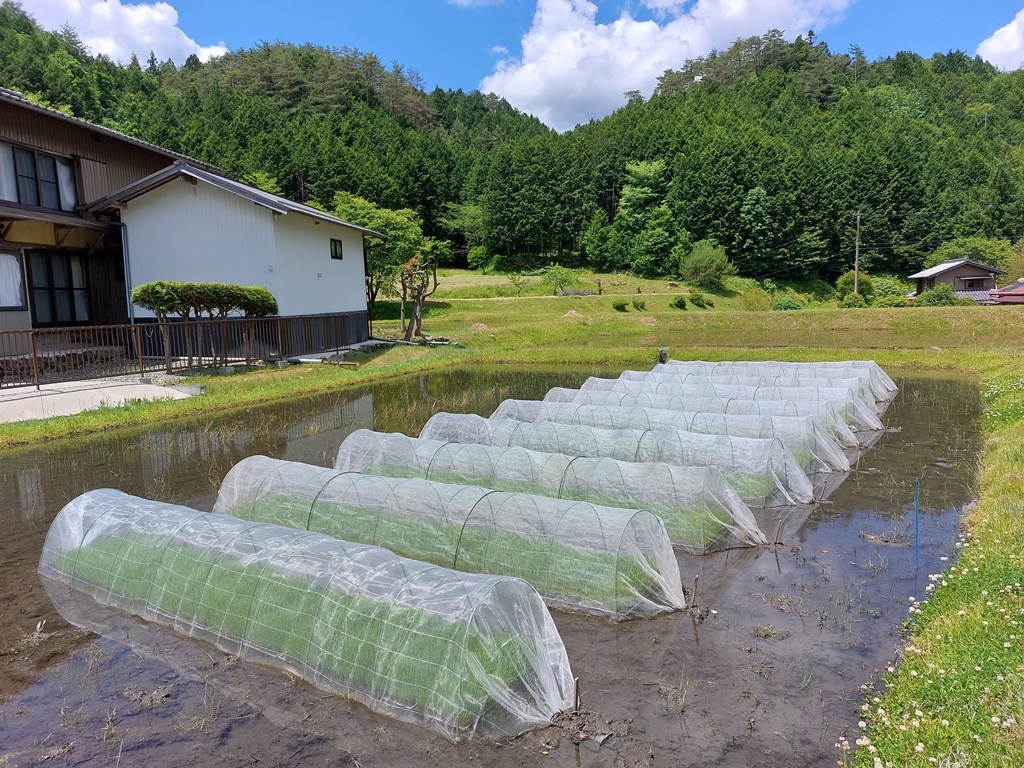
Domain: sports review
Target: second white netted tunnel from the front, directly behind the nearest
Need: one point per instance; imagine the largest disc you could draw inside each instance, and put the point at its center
(580, 557)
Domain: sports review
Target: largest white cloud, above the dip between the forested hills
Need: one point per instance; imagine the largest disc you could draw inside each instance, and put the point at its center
(574, 69)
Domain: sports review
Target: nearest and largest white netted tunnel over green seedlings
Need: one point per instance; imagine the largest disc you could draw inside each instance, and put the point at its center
(421, 644)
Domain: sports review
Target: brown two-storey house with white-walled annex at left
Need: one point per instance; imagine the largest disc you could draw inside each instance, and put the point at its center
(88, 215)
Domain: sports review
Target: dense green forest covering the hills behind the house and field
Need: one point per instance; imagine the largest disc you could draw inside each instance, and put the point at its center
(772, 150)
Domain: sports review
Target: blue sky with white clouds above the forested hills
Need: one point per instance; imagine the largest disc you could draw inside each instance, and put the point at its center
(567, 62)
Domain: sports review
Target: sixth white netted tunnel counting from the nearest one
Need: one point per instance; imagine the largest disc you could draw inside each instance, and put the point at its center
(838, 419)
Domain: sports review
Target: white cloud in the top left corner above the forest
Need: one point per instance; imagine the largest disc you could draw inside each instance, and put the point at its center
(118, 30)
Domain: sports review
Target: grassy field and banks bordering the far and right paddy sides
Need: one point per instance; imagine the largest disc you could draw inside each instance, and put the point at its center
(957, 698)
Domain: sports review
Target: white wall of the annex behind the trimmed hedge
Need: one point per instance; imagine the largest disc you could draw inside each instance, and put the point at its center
(186, 232)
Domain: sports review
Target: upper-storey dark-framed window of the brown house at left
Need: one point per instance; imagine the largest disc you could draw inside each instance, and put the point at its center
(37, 180)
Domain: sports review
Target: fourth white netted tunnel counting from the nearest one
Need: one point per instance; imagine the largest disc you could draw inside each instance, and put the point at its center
(763, 473)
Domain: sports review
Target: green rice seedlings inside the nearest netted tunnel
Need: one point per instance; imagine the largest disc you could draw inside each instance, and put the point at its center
(388, 656)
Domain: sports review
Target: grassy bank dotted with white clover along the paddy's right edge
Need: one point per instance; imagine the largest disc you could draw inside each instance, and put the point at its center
(957, 697)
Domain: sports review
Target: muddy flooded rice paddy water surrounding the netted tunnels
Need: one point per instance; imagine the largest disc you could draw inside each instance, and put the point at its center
(772, 671)
